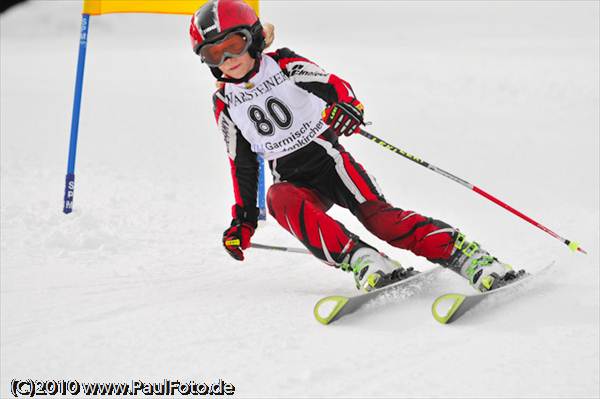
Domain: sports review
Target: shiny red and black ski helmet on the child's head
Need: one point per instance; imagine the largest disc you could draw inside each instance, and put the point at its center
(217, 18)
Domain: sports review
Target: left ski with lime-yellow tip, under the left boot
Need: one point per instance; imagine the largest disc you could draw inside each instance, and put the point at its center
(332, 308)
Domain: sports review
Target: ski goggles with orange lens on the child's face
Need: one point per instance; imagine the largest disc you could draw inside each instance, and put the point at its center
(233, 45)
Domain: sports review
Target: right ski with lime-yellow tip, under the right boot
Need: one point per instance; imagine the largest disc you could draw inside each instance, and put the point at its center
(459, 304)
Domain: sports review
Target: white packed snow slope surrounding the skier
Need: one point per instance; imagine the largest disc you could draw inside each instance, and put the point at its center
(134, 284)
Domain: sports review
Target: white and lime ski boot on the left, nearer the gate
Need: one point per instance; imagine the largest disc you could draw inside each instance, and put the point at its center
(374, 270)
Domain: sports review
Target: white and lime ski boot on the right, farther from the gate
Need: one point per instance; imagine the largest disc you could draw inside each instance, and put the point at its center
(483, 271)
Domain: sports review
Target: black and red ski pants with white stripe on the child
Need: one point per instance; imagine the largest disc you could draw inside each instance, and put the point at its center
(311, 180)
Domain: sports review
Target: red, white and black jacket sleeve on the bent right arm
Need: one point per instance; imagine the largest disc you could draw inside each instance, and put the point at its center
(312, 78)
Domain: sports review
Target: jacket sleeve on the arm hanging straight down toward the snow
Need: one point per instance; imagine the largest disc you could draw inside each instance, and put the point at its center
(243, 162)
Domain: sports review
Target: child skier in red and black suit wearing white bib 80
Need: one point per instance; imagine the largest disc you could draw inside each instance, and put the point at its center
(291, 112)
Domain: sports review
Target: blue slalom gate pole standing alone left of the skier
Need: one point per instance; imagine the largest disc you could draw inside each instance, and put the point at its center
(70, 179)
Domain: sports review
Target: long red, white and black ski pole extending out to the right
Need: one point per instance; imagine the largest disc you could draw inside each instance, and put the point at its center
(571, 244)
